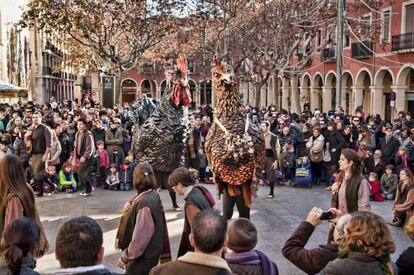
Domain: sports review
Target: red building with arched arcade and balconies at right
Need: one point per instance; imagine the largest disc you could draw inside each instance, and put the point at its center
(379, 76)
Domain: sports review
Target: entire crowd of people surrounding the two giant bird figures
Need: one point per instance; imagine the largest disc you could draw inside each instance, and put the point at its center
(70, 147)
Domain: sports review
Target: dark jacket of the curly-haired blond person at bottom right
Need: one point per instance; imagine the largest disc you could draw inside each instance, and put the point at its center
(357, 263)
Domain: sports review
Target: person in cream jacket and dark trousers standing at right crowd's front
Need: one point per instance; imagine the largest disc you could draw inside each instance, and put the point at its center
(315, 146)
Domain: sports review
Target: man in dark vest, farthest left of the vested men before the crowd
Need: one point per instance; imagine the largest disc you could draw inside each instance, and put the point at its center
(41, 140)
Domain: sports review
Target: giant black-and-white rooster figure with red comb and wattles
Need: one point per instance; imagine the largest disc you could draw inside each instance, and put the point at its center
(161, 140)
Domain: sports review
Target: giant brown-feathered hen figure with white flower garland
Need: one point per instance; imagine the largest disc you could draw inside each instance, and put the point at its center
(235, 148)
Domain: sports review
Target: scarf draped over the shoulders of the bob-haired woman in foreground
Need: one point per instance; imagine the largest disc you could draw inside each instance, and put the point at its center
(166, 250)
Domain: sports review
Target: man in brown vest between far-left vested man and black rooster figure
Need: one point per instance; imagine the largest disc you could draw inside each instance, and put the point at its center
(83, 155)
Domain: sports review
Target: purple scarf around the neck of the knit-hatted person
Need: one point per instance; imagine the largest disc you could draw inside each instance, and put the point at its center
(253, 257)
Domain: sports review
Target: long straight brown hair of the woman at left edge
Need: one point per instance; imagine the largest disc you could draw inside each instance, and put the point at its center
(13, 184)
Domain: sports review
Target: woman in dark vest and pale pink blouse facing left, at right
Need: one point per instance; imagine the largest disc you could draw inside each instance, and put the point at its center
(351, 193)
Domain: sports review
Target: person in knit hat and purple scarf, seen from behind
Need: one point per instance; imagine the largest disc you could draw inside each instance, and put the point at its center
(241, 256)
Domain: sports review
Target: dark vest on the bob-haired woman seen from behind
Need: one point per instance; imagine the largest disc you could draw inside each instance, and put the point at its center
(154, 248)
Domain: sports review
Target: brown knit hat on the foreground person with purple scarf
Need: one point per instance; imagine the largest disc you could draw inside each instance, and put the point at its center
(242, 235)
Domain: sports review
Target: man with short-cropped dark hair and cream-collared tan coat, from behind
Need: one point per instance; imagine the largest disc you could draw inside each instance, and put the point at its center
(209, 238)
